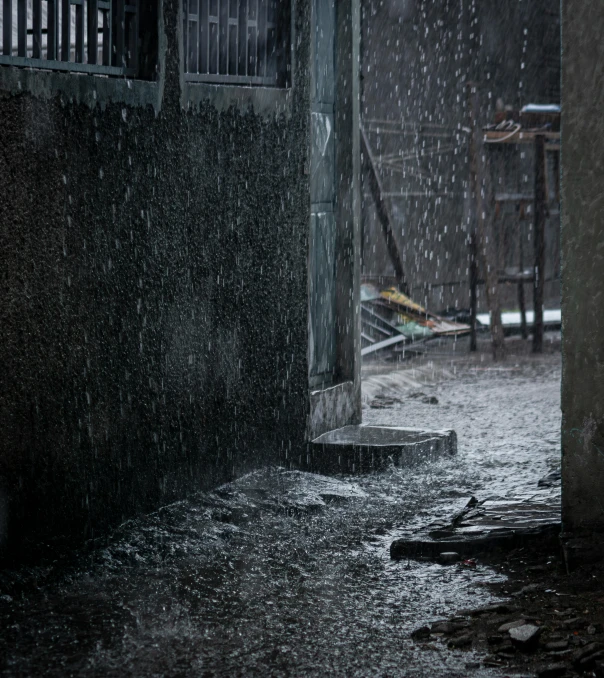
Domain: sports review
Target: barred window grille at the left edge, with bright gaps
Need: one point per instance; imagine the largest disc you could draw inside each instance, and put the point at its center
(90, 36)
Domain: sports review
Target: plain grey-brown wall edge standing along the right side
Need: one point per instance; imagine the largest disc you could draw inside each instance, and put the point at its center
(582, 268)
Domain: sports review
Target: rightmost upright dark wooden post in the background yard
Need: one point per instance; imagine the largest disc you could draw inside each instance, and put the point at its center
(539, 228)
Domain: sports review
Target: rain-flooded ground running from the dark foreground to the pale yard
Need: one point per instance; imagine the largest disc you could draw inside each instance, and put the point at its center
(283, 574)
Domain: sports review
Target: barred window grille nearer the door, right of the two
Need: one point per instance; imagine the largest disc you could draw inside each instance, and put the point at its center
(241, 42)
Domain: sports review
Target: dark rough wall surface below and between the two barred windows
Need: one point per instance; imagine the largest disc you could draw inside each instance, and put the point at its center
(153, 315)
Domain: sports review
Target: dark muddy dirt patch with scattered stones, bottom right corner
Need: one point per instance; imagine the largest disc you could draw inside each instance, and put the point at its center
(566, 608)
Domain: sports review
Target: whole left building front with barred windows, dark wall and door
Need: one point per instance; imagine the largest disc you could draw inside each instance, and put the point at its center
(159, 258)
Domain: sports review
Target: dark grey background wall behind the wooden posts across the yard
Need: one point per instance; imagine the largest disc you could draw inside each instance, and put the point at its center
(417, 56)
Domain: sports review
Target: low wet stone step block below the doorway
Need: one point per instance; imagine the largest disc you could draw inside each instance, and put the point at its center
(362, 449)
